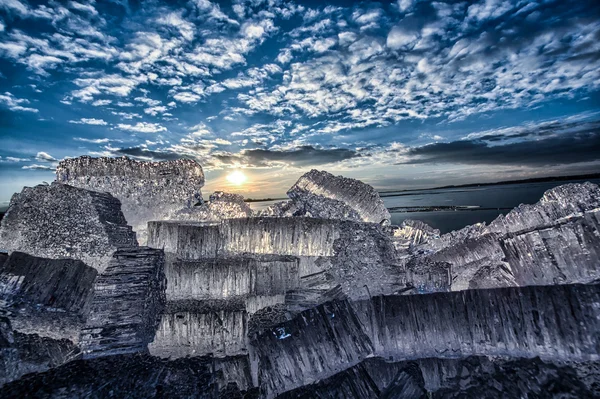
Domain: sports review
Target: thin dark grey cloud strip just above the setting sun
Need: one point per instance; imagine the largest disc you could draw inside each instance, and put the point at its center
(301, 156)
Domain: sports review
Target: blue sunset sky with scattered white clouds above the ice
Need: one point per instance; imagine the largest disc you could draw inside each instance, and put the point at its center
(401, 95)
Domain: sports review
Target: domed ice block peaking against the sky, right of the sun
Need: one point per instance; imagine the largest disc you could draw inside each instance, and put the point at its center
(357, 195)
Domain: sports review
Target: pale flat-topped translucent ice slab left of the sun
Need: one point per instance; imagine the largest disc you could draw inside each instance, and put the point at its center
(147, 190)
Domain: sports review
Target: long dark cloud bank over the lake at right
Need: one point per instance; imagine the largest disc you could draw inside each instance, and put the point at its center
(564, 149)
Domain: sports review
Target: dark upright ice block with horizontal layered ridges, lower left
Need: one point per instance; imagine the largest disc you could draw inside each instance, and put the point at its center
(128, 300)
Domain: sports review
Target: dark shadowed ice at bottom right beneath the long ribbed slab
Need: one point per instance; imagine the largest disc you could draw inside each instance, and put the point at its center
(472, 377)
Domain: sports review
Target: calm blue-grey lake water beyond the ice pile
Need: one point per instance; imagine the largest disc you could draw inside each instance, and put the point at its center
(450, 209)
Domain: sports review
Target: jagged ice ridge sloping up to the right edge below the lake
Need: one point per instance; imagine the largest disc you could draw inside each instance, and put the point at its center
(555, 241)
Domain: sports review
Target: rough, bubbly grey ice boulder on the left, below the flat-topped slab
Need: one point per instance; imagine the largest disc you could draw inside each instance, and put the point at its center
(61, 221)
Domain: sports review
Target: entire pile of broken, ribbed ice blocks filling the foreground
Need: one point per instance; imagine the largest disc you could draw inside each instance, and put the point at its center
(316, 297)
